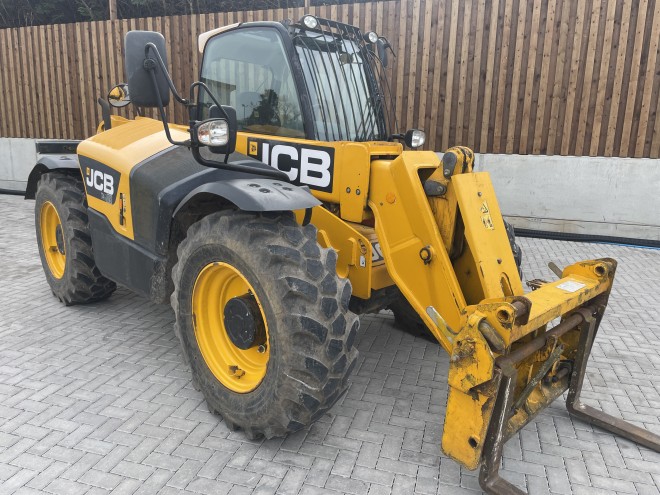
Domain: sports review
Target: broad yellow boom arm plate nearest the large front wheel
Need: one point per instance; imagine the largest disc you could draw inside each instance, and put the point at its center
(405, 224)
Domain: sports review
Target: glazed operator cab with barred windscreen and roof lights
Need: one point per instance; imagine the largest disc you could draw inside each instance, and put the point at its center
(316, 79)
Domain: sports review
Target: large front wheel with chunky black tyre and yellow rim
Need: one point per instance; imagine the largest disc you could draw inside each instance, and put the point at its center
(310, 331)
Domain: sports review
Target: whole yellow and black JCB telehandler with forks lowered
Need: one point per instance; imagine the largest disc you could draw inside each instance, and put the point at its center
(286, 207)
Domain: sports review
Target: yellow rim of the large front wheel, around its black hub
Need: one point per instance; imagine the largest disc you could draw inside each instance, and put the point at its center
(237, 369)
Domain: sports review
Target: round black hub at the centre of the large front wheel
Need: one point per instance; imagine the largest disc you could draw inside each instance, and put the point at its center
(243, 322)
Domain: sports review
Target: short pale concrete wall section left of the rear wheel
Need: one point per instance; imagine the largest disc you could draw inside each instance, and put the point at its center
(17, 157)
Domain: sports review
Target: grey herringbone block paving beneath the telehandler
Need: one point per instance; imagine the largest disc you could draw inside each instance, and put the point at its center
(96, 399)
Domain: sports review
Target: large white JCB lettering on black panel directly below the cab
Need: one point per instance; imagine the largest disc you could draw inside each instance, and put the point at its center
(306, 165)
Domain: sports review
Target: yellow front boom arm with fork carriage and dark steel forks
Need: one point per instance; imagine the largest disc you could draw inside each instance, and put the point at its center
(445, 246)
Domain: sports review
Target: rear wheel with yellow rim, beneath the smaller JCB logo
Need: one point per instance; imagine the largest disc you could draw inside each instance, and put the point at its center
(68, 259)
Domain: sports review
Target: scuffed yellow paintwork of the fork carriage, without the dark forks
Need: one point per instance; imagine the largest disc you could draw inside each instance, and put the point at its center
(472, 389)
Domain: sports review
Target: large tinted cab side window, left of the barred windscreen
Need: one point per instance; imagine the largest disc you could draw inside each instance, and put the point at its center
(249, 70)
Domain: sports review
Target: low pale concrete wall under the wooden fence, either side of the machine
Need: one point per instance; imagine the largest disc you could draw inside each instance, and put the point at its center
(617, 197)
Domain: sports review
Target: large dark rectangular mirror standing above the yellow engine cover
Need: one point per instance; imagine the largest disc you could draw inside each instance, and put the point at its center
(137, 57)
